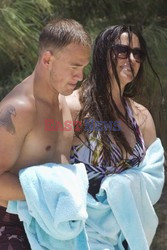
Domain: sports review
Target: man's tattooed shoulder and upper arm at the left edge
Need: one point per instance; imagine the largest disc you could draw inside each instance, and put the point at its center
(17, 116)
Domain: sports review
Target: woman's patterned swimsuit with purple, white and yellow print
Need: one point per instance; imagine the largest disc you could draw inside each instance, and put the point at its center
(82, 153)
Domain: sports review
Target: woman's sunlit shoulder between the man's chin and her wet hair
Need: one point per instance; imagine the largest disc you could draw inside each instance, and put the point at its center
(74, 103)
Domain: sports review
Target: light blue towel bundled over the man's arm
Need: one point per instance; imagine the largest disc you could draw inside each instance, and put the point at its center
(54, 213)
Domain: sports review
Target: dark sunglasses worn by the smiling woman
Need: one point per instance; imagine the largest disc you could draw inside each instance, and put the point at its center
(123, 52)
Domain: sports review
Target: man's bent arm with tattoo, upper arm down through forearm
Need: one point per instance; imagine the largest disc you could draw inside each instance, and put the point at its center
(13, 130)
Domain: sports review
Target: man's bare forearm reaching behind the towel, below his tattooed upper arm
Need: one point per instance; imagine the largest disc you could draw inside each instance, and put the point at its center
(10, 188)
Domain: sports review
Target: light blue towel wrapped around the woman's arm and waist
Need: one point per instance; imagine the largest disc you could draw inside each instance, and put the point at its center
(125, 205)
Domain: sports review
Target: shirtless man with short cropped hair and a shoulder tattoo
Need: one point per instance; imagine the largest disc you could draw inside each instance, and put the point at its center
(64, 49)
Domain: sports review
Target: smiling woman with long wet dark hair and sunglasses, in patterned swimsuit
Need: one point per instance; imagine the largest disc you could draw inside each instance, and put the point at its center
(116, 131)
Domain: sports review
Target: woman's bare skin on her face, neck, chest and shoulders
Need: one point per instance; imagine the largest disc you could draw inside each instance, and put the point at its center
(140, 113)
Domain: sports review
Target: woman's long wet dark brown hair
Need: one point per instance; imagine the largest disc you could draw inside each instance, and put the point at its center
(96, 92)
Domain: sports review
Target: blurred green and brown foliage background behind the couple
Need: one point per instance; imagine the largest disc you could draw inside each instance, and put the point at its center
(20, 25)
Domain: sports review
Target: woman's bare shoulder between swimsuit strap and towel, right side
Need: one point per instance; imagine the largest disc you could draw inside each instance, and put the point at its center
(145, 122)
